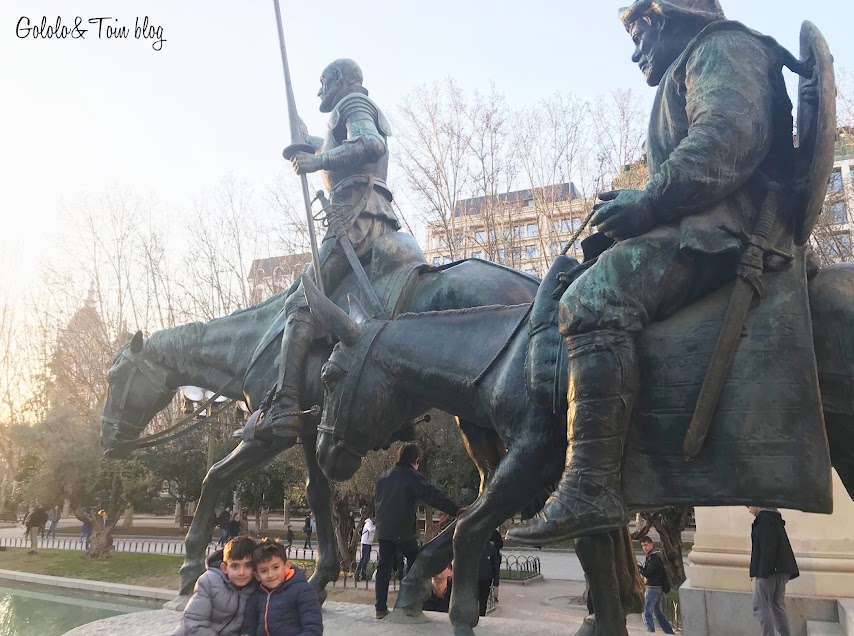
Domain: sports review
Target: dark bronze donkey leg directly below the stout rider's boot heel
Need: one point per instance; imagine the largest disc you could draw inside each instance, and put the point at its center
(596, 553)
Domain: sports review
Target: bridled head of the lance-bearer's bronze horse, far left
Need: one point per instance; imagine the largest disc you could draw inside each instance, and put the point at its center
(139, 388)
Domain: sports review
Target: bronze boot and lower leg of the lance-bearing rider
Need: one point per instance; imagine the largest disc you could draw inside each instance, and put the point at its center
(282, 416)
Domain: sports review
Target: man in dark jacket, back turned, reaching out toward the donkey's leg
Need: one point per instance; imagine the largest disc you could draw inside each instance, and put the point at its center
(398, 493)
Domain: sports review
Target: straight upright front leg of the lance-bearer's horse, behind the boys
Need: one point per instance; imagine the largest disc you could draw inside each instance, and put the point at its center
(319, 494)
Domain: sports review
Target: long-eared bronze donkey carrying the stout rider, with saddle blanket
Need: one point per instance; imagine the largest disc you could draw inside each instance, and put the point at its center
(474, 362)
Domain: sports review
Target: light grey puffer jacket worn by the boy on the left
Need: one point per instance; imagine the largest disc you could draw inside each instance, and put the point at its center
(216, 607)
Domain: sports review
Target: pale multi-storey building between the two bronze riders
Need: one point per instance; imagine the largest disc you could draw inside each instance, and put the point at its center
(524, 229)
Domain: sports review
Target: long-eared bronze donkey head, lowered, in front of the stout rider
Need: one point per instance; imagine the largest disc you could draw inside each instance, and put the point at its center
(362, 411)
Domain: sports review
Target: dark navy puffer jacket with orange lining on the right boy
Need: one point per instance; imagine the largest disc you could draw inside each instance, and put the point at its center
(292, 609)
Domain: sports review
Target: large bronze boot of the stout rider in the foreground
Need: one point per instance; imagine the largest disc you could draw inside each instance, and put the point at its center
(603, 380)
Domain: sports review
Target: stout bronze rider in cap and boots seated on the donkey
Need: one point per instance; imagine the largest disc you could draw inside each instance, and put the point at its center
(720, 133)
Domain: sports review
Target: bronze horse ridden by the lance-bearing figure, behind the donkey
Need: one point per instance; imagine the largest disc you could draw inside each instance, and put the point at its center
(146, 373)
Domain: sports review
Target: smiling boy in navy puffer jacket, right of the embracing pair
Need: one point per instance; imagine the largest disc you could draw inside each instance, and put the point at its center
(285, 604)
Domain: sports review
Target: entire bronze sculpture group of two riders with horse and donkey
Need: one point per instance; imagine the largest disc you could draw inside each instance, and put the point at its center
(695, 349)
